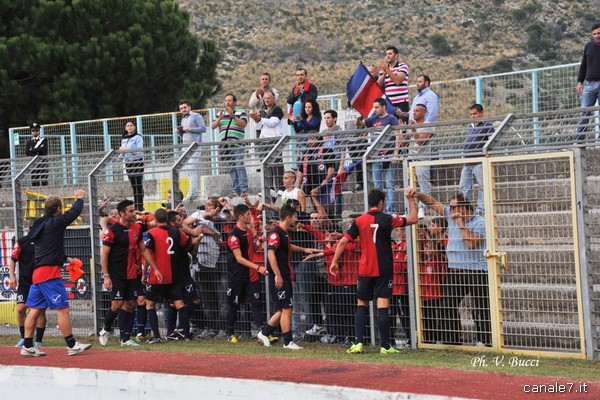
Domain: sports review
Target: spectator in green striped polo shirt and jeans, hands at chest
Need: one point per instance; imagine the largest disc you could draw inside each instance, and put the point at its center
(231, 123)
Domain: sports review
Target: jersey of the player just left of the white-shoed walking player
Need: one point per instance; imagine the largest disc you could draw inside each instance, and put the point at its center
(239, 239)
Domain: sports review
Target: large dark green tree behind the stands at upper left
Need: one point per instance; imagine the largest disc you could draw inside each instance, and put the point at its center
(82, 59)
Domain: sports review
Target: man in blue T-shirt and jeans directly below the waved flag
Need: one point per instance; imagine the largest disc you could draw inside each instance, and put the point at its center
(383, 169)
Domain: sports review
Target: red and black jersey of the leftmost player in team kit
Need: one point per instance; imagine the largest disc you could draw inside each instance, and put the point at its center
(123, 242)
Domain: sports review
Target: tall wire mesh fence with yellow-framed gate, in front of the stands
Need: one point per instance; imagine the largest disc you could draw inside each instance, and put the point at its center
(539, 293)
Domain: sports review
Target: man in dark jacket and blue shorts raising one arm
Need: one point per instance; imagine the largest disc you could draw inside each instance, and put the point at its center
(47, 289)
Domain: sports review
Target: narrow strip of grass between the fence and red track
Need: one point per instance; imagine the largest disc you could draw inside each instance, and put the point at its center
(454, 359)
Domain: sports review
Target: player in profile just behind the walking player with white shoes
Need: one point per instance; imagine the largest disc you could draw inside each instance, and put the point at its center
(243, 284)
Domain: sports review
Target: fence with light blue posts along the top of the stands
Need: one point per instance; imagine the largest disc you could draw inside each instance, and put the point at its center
(528, 91)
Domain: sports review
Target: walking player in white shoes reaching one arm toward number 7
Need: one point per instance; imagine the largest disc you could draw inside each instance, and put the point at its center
(281, 276)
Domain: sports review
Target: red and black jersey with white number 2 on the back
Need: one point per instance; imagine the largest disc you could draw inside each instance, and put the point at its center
(169, 246)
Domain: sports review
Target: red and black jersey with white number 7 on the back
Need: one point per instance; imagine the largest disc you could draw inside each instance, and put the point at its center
(374, 228)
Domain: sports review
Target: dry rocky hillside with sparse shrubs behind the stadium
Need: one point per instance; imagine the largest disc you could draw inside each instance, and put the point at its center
(446, 39)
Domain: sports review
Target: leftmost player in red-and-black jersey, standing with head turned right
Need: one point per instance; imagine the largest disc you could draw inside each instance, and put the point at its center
(119, 271)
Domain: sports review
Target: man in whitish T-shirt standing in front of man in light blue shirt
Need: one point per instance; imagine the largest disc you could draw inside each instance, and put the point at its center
(420, 144)
